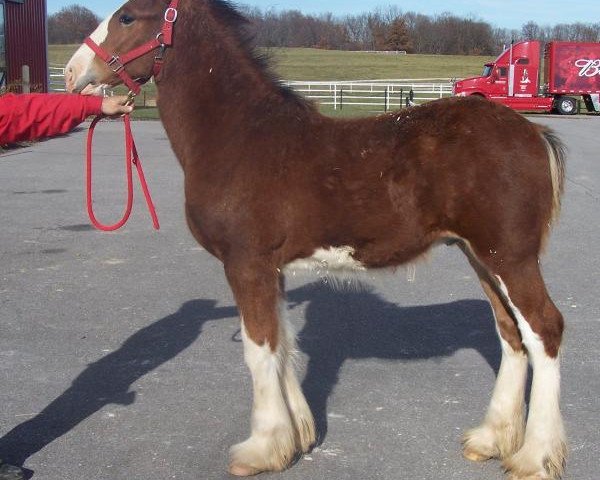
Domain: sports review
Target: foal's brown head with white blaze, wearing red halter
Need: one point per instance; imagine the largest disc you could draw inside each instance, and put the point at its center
(125, 45)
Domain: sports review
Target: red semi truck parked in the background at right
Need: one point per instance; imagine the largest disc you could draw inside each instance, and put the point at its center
(516, 77)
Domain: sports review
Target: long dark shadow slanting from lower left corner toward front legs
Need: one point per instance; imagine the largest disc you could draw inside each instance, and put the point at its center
(108, 380)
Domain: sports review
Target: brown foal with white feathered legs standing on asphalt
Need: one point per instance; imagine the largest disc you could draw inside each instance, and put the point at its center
(271, 185)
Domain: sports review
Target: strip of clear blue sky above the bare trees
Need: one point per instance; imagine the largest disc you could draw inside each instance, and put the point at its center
(500, 13)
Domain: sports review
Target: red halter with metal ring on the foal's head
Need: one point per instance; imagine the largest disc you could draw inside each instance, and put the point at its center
(162, 40)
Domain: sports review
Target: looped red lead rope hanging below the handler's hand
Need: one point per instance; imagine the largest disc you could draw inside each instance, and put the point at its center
(131, 158)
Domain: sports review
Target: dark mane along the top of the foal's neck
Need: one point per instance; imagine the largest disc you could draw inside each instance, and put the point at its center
(245, 35)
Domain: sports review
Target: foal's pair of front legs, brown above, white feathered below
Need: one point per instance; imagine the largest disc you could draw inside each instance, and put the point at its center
(281, 420)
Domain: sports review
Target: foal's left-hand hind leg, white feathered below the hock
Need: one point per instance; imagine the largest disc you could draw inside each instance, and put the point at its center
(501, 433)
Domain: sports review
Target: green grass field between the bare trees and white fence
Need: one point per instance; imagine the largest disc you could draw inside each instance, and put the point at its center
(319, 65)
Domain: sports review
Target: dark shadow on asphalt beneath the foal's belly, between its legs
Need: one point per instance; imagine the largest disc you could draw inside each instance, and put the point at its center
(358, 324)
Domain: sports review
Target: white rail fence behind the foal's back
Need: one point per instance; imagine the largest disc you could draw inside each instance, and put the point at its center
(381, 95)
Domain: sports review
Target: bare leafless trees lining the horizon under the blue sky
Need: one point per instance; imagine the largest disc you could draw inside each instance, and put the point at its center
(387, 29)
